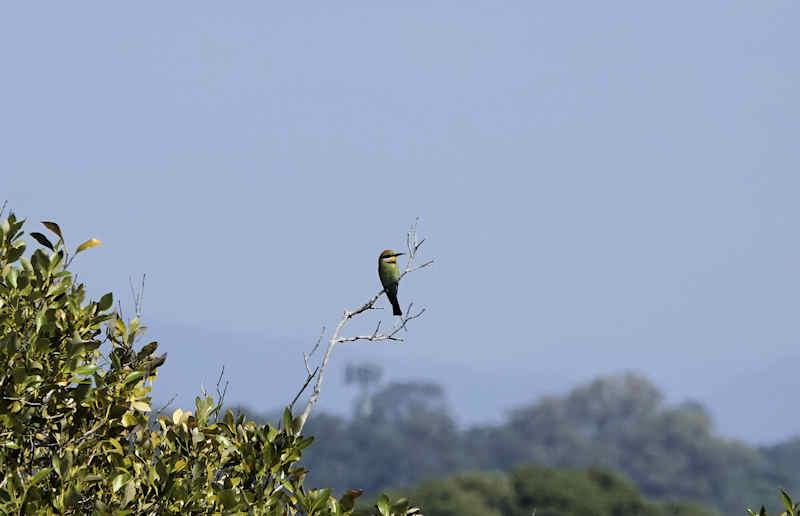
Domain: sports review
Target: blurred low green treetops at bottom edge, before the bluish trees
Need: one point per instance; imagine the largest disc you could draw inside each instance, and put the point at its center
(544, 491)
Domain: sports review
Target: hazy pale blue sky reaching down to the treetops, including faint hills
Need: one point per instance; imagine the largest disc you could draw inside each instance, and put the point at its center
(605, 186)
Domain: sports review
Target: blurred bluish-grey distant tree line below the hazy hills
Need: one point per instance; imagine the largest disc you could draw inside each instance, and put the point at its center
(404, 432)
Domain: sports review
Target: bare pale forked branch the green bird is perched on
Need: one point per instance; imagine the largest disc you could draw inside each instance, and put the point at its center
(413, 245)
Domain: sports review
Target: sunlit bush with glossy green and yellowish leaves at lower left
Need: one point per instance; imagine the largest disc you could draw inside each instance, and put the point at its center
(76, 435)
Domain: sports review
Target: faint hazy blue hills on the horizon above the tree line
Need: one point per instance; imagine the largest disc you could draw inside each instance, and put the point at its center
(477, 393)
